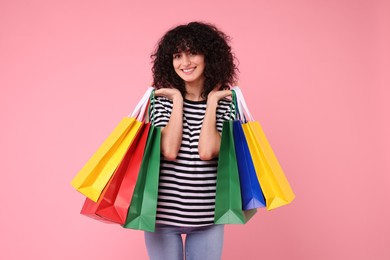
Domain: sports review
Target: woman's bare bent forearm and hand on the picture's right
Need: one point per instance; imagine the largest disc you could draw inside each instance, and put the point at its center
(210, 138)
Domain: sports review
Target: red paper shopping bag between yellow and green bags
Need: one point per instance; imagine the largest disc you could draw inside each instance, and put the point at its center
(115, 199)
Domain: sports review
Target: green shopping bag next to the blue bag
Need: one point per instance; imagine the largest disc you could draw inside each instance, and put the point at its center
(228, 205)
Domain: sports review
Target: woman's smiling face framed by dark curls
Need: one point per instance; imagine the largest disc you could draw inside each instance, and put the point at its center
(189, 66)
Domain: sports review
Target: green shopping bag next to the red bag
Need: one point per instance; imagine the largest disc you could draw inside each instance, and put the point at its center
(143, 207)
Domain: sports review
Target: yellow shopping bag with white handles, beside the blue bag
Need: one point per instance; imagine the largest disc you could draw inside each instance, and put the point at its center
(276, 189)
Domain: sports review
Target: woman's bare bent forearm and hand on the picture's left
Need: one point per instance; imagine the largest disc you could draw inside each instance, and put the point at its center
(171, 134)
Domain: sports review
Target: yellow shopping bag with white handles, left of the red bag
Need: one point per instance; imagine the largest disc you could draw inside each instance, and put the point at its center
(96, 173)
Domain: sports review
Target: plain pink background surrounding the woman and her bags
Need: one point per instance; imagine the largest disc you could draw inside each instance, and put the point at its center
(315, 73)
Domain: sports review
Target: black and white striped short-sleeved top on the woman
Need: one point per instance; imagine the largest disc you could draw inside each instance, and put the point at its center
(187, 185)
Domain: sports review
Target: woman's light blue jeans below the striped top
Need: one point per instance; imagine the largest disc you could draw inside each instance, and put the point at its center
(201, 243)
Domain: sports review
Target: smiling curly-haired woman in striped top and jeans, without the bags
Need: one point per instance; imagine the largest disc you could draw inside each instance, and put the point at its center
(193, 69)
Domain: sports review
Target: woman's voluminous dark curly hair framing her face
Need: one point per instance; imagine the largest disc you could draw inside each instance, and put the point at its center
(195, 37)
